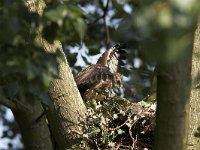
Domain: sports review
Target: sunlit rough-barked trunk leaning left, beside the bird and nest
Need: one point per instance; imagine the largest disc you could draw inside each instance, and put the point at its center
(69, 109)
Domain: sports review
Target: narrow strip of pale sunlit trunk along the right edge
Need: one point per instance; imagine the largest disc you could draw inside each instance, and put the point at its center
(194, 107)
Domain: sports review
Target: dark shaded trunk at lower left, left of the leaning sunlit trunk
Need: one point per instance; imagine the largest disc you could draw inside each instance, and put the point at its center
(35, 131)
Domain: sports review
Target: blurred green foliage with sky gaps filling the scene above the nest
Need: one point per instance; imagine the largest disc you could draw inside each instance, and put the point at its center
(154, 30)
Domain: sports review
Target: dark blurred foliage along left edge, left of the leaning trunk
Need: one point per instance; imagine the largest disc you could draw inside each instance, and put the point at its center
(24, 71)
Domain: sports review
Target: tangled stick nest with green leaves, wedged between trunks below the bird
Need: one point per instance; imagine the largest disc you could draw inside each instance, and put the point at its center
(118, 124)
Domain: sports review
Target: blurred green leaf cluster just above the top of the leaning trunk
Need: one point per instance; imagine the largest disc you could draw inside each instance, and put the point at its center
(60, 20)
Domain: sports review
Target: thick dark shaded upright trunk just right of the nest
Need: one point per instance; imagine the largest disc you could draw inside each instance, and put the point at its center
(173, 89)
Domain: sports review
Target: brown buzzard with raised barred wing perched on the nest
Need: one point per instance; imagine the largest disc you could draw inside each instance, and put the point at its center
(106, 74)
